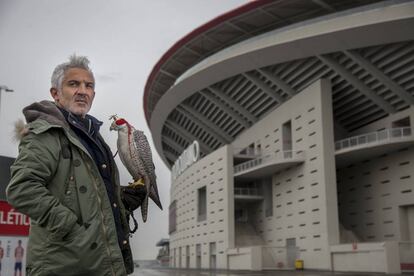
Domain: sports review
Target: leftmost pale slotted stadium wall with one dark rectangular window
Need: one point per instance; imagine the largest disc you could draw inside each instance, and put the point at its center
(215, 173)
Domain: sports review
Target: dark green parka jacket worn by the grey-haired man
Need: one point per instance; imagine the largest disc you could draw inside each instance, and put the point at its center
(72, 228)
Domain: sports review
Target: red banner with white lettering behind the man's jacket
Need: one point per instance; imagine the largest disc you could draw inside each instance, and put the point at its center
(12, 222)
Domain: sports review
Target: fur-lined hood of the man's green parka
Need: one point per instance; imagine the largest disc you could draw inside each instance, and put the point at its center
(44, 110)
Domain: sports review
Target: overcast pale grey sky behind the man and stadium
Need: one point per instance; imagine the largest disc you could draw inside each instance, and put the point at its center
(123, 39)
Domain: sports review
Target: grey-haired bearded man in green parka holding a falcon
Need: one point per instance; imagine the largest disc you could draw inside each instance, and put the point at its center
(66, 181)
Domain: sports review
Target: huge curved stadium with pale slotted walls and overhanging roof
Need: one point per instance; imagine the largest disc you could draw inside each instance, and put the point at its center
(294, 117)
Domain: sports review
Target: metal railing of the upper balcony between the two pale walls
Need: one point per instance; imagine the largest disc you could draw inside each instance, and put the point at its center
(279, 156)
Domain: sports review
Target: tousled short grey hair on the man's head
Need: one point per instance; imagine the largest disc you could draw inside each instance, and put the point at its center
(75, 61)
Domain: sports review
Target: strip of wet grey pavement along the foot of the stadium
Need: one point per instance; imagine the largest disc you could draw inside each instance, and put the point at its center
(193, 272)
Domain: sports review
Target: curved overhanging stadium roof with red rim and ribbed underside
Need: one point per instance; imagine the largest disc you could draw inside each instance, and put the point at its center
(371, 73)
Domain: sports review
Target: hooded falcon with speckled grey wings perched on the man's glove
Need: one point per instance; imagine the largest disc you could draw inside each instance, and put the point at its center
(135, 153)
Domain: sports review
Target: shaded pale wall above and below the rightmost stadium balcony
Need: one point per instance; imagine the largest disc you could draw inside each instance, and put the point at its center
(373, 191)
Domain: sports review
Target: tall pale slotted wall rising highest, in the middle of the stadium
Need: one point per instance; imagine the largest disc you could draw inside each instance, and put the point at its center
(304, 197)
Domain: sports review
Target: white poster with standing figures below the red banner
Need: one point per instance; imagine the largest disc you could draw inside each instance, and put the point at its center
(13, 256)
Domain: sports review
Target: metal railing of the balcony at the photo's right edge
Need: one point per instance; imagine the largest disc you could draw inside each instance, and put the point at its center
(373, 137)
